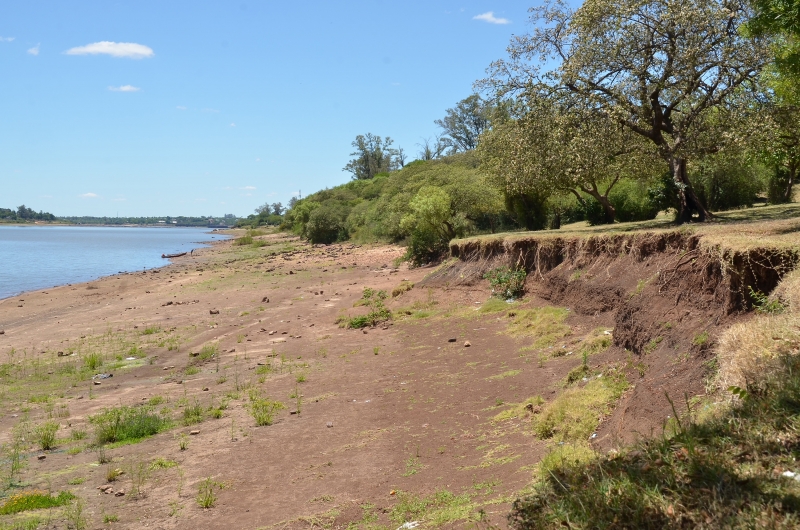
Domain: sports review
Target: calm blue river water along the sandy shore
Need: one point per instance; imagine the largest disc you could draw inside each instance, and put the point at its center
(36, 257)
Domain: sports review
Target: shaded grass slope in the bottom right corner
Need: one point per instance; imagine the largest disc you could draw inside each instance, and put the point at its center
(724, 472)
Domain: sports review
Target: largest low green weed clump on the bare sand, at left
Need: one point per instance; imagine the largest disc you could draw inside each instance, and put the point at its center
(127, 424)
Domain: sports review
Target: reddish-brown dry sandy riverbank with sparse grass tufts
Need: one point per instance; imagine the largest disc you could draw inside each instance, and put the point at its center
(396, 422)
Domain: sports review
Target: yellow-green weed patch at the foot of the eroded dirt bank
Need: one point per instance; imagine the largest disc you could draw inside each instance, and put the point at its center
(574, 414)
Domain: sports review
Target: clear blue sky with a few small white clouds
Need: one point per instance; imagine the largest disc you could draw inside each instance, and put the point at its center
(139, 108)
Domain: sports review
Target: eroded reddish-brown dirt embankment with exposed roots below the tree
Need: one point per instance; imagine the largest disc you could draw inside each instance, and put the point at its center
(667, 295)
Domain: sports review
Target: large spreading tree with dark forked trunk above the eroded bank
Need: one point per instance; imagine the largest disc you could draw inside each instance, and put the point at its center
(655, 66)
